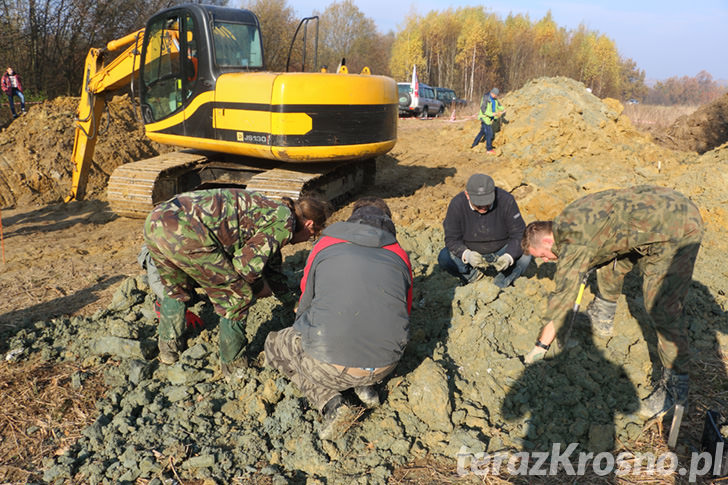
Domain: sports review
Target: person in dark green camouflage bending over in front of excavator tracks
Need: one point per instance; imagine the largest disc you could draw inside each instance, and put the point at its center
(224, 241)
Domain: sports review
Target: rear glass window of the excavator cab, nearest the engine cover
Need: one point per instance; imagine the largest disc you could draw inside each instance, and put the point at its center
(237, 45)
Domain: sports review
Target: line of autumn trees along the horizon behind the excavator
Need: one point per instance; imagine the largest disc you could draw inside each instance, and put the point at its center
(468, 48)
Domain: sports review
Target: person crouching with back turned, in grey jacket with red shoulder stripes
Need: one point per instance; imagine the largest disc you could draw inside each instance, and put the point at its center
(352, 322)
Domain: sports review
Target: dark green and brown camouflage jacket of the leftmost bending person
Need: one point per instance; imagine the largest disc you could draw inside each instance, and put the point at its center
(248, 227)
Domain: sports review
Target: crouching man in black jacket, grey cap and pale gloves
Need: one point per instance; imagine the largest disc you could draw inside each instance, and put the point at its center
(483, 227)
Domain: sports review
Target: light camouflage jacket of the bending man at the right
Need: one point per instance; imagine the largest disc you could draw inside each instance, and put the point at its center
(601, 227)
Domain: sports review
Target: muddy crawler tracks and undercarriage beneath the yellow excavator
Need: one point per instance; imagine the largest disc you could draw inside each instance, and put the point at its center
(135, 188)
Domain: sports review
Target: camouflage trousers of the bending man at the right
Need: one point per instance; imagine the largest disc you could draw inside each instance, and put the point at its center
(667, 271)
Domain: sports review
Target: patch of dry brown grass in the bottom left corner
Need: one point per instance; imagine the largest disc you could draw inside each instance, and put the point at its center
(42, 415)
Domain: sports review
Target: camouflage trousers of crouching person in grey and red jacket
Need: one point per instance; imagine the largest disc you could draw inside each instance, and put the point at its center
(317, 380)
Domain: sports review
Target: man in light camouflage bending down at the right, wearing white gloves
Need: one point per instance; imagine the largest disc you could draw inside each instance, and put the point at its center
(654, 228)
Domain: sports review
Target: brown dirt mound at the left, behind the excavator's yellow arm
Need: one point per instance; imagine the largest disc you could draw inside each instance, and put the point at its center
(36, 149)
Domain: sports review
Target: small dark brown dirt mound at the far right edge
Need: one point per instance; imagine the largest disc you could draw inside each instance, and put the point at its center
(703, 130)
